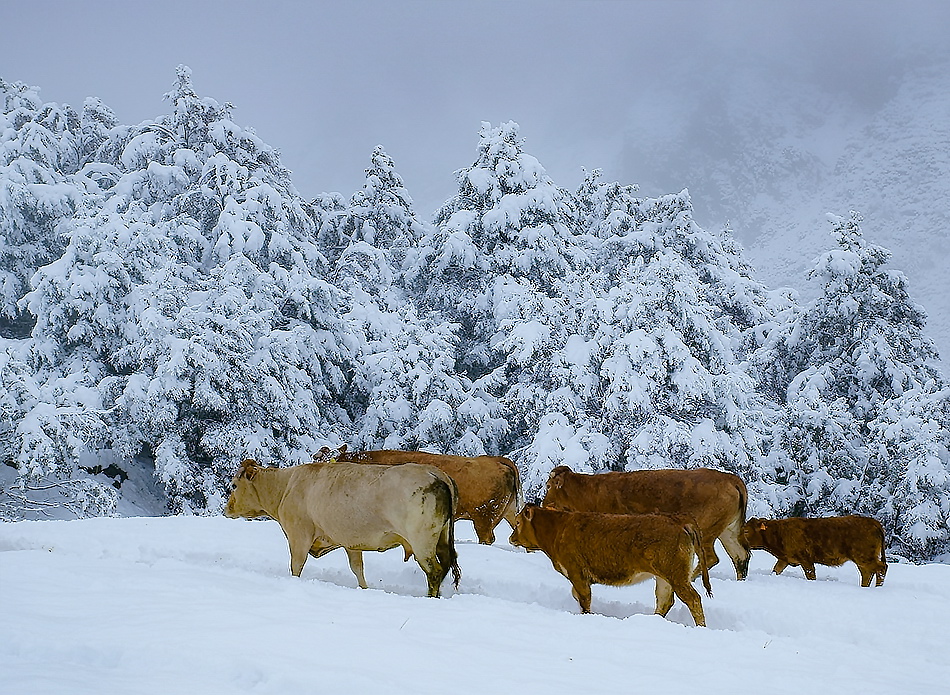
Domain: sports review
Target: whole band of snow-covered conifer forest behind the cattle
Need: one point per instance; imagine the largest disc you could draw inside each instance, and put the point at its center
(170, 304)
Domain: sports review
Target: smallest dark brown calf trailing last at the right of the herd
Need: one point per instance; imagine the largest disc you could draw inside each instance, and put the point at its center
(825, 541)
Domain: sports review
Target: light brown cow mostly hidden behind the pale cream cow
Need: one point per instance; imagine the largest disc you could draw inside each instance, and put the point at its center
(489, 487)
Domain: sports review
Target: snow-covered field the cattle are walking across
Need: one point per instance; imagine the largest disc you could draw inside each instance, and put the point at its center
(203, 605)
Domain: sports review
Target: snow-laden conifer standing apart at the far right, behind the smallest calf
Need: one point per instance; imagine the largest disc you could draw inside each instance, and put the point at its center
(864, 426)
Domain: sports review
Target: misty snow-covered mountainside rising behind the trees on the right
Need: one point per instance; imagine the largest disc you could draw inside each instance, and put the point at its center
(770, 154)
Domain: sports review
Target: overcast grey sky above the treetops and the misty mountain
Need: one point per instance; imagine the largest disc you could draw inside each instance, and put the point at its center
(325, 82)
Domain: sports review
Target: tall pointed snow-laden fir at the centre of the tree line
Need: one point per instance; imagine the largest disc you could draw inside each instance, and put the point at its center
(502, 264)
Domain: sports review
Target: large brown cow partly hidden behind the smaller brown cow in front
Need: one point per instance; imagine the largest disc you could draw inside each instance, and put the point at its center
(716, 500)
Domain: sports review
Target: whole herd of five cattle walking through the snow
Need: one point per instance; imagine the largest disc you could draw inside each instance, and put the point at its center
(614, 528)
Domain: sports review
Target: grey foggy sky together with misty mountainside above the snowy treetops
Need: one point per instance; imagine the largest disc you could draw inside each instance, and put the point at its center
(771, 114)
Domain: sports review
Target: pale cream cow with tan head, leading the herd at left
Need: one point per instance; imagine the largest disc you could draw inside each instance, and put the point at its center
(321, 507)
